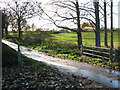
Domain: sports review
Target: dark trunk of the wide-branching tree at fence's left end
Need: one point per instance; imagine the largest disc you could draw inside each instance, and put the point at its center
(78, 26)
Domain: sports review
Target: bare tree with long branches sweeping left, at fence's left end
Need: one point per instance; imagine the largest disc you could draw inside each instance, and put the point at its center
(68, 11)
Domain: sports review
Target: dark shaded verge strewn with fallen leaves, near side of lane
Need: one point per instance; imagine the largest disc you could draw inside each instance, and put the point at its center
(36, 75)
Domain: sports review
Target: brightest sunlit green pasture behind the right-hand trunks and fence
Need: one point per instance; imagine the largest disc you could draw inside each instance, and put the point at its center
(88, 38)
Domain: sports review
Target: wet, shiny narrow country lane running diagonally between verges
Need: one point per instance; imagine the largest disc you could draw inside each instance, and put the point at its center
(98, 74)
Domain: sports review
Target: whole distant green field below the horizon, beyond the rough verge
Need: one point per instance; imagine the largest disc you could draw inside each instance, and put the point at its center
(88, 38)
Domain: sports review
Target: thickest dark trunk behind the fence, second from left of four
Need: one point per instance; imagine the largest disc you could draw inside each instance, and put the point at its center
(97, 24)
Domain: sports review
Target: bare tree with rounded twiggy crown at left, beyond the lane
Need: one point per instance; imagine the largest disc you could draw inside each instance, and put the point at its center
(21, 11)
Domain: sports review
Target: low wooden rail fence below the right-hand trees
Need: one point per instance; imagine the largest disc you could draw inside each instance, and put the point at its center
(99, 52)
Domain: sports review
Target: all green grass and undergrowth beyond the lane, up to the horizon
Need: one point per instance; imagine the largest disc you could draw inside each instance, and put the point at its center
(64, 45)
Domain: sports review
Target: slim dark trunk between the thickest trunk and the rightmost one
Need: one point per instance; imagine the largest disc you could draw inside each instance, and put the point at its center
(105, 24)
